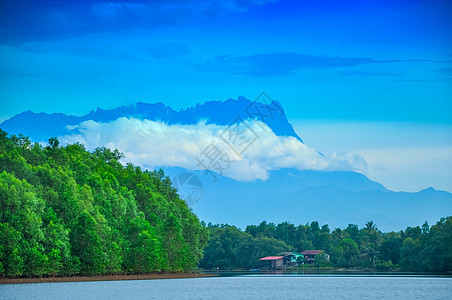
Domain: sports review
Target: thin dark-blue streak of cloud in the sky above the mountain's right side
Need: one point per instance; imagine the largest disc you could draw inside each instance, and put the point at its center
(283, 64)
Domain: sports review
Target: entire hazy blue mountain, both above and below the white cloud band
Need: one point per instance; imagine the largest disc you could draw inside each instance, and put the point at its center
(336, 198)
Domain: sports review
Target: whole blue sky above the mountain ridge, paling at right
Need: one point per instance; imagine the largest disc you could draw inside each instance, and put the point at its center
(372, 78)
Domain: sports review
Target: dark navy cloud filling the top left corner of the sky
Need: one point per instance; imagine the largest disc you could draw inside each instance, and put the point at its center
(29, 20)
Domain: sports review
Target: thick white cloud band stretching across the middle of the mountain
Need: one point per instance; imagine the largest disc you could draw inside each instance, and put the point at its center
(150, 144)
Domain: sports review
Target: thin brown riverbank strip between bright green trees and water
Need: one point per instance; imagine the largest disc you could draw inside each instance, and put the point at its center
(104, 278)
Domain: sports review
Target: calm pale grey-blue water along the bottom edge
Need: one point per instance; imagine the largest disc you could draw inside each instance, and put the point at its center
(242, 287)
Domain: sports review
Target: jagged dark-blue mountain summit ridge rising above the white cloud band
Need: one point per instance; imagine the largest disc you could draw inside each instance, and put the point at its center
(42, 126)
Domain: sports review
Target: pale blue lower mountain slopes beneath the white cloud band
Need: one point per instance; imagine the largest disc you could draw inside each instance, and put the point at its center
(334, 198)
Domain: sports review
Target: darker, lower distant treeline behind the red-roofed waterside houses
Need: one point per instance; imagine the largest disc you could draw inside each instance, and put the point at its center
(415, 249)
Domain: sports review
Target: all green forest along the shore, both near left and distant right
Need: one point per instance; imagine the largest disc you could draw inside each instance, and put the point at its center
(66, 211)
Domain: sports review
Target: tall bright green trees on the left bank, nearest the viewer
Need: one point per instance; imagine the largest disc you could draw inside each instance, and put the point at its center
(67, 211)
